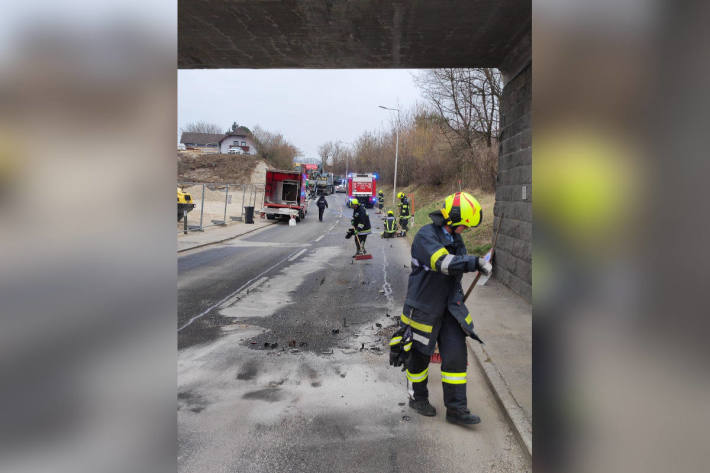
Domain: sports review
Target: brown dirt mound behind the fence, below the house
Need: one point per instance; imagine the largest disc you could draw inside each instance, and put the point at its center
(217, 168)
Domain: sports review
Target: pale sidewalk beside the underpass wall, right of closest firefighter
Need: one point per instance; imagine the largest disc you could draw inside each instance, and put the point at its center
(503, 320)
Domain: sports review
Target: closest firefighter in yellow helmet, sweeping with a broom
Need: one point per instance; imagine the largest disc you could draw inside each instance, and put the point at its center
(434, 311)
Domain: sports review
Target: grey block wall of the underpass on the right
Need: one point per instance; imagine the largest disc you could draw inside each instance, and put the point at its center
(514, 186)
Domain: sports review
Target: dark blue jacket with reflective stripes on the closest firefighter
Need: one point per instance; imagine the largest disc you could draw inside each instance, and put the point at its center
(435, 282)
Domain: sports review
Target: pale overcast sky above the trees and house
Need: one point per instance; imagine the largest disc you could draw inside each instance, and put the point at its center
(309, 107)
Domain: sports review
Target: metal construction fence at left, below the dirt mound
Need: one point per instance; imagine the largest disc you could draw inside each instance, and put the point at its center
(219, 204)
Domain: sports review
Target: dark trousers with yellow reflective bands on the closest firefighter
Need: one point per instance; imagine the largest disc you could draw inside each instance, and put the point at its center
(452, 347)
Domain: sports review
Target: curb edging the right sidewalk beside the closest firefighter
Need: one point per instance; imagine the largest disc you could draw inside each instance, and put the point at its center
(513, 412)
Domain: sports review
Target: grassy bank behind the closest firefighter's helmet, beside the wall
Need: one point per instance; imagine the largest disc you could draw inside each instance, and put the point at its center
(427, 199)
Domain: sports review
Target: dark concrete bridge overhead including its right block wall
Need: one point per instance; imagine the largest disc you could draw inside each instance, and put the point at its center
(395, 34)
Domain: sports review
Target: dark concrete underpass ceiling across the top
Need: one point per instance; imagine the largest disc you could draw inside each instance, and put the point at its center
(349, 33)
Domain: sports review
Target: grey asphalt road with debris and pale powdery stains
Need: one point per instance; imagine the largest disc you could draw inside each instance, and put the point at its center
(282, 361)
